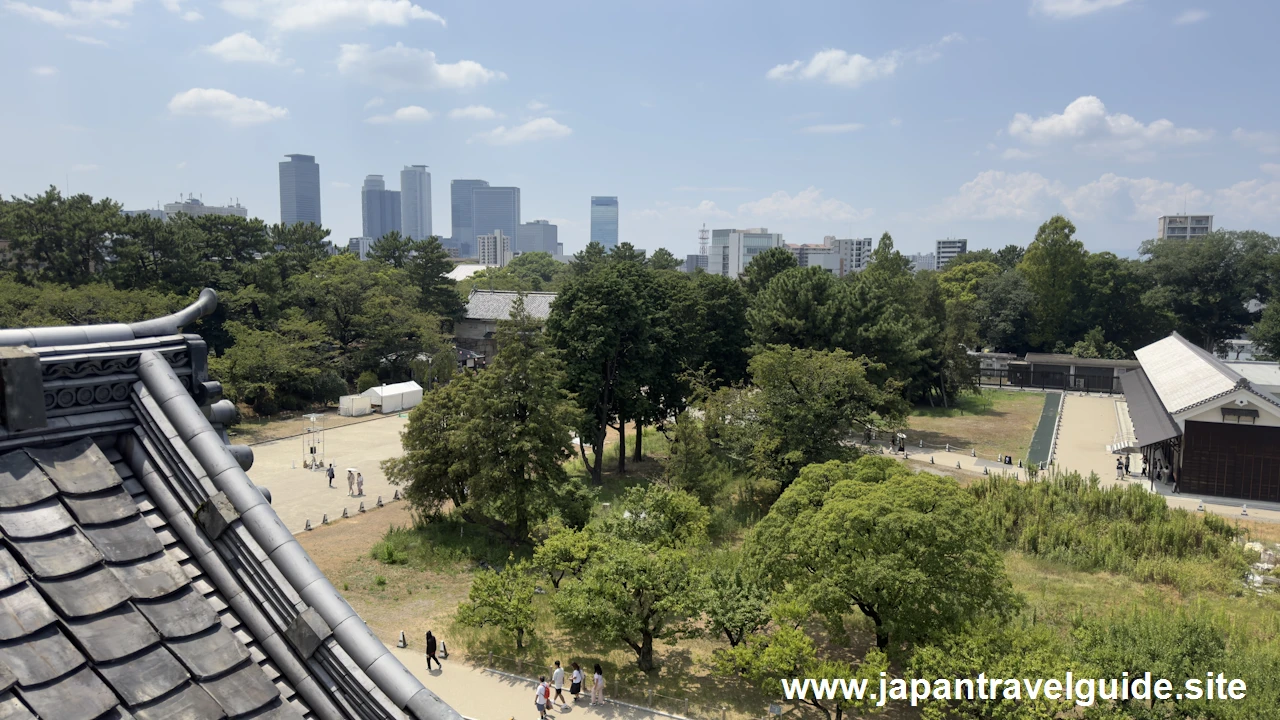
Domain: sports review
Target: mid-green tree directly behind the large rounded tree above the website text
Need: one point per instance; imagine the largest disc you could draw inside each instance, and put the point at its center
(808, 403)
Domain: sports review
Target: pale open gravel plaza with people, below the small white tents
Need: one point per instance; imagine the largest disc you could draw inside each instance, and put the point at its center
(300, 495)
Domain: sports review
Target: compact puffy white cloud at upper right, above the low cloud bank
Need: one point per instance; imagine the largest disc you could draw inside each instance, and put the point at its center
(1087, 125)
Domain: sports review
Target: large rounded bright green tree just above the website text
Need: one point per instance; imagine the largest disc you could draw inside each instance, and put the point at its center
(912, 555)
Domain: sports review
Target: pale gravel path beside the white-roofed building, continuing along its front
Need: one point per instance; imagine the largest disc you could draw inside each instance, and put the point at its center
(1090, 425)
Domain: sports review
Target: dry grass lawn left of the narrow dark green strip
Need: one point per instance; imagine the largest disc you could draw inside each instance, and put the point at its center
(995, 422)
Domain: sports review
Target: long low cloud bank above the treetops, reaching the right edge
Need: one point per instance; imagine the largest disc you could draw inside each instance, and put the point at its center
(1000, 195)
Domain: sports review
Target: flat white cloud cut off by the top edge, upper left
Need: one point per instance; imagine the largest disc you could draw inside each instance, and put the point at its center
(287, 16)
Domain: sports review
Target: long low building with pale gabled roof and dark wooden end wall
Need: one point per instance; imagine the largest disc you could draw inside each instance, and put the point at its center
(1201, 422)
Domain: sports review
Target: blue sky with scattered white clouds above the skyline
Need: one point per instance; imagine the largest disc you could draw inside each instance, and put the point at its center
(964, 119)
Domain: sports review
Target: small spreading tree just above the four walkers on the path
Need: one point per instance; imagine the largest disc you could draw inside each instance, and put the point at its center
(636, 595)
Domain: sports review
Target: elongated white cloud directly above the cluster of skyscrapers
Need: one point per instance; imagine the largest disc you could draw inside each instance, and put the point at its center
(408, 69)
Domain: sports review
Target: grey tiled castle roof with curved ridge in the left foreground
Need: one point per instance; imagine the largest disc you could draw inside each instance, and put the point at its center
(143, 576)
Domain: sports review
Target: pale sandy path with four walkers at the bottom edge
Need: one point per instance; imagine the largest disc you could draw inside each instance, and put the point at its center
(482, 695)
